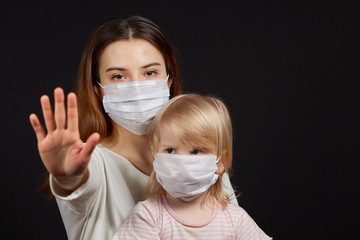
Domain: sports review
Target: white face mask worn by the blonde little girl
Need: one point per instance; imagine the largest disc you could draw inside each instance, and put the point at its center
(185, 176)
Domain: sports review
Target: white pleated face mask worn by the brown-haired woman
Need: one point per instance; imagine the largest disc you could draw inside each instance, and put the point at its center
(133, 105)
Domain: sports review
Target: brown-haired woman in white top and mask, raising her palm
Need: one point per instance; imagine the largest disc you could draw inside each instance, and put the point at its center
(96, 185)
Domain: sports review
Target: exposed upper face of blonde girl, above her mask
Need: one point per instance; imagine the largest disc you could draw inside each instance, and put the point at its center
(169, 143)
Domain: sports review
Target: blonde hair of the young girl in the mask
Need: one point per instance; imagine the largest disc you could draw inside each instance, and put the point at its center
(198, 122)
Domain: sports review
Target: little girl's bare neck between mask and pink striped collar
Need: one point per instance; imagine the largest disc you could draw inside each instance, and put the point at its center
(196, 212)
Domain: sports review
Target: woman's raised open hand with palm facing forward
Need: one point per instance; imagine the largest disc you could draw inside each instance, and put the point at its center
(63, 153)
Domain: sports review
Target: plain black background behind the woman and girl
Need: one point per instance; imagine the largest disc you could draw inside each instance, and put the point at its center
(288, 72)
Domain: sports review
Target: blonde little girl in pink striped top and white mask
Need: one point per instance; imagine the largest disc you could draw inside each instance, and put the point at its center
(191, 140)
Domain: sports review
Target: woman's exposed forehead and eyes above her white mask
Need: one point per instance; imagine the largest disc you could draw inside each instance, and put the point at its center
(131, 60)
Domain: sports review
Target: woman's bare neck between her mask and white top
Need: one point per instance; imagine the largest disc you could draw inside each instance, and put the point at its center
(131, 146)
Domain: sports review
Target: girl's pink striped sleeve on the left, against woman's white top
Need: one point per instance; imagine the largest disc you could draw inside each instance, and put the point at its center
(141, 224)
